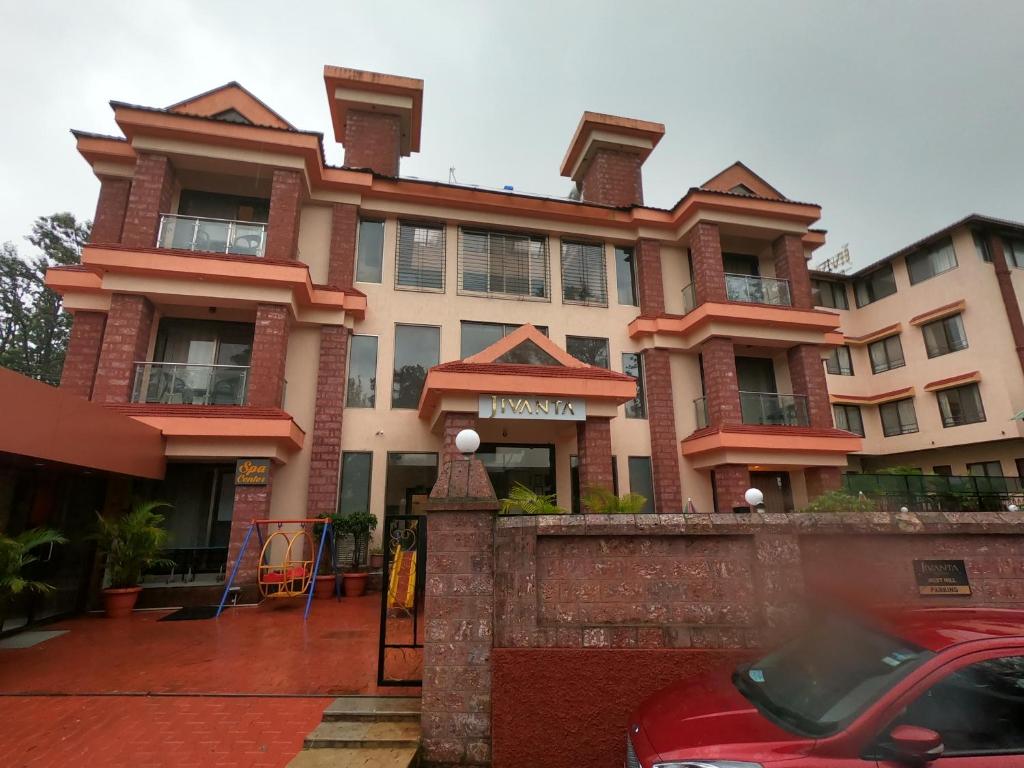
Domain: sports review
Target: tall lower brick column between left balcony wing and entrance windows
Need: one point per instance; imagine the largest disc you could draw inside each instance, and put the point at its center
(325, 462)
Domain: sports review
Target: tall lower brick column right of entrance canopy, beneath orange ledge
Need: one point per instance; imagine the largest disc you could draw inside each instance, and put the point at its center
(662, 423)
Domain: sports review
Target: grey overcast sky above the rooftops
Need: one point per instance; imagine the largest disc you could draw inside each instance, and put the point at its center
(898, 118)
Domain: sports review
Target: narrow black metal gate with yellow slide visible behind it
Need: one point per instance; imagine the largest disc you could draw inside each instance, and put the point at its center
(401, 659)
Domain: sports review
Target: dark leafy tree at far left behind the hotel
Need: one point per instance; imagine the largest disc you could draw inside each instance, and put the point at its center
(34, 328)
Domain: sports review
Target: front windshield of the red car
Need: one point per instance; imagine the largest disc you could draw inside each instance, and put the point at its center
(820, 682)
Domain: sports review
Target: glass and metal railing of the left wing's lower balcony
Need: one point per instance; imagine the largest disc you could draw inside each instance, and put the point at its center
(189, 385)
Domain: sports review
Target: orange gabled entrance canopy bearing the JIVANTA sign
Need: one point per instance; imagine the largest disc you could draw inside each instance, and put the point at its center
(524, 376)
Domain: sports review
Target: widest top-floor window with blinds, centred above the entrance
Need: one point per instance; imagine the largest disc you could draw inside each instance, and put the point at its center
(504, 265)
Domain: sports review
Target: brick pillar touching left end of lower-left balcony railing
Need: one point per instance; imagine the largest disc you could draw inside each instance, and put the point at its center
(126, 342)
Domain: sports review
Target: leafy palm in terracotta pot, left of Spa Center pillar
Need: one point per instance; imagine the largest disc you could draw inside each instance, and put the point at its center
(132, 543)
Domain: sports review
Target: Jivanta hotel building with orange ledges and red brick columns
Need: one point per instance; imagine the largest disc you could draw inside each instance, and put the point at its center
(253, 303)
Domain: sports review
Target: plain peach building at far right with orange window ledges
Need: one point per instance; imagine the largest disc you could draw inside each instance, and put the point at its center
(930, 373)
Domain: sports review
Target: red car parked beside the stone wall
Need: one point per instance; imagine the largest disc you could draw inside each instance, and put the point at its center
(934, 688)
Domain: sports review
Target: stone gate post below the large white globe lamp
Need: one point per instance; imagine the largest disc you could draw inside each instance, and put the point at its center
(460, 616)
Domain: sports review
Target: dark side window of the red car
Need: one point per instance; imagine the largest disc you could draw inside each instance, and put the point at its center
(977, 710)
